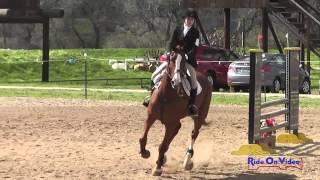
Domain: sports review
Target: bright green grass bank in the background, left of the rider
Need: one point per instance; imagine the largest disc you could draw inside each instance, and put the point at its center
(26, 65)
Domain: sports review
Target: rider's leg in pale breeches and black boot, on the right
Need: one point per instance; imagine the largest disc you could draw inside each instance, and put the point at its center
(192, 108)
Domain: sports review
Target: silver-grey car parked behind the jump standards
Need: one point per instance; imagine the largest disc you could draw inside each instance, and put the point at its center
(273, 69)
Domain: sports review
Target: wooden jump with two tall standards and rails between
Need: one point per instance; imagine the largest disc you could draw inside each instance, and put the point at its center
(291, 100)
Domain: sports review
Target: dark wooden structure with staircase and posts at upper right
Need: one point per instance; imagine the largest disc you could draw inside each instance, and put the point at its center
(297, 15)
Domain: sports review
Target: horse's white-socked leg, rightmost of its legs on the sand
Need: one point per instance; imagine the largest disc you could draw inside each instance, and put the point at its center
(187, 163)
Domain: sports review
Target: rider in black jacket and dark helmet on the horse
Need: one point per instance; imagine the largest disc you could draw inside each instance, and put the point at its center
(187, 36)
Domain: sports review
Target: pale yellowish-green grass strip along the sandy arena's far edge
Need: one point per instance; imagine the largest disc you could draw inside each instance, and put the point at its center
(217, 99)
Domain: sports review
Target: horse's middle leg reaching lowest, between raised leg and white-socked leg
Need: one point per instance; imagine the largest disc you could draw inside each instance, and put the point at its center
(171, 132)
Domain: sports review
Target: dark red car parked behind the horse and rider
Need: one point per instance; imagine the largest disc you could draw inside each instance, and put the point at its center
(213, 62)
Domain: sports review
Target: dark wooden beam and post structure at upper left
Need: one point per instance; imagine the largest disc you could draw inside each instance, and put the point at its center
(29, 11)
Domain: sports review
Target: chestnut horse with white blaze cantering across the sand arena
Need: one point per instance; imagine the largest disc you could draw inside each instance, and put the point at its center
(169, 107)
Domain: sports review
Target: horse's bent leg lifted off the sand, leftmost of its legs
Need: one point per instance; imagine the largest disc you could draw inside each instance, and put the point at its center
(143, 140)
